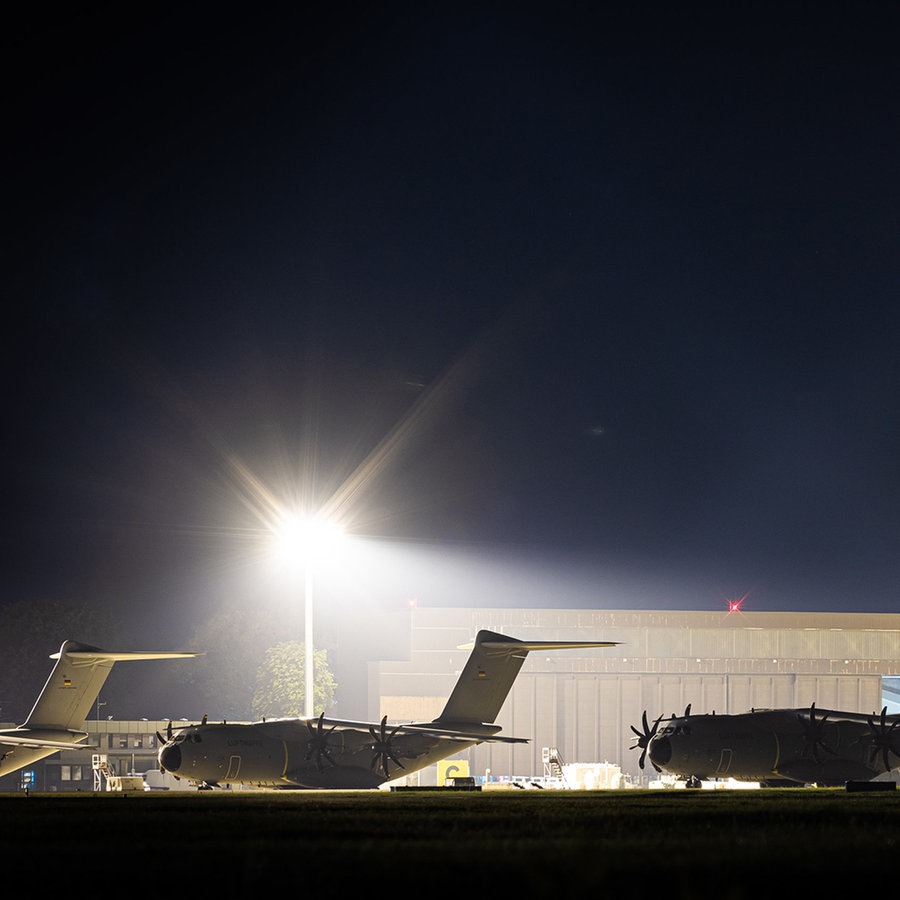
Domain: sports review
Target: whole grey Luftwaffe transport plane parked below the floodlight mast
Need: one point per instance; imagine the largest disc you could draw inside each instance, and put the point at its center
(322, 753)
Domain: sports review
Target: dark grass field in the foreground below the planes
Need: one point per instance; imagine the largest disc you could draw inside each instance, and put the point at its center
(724, 844)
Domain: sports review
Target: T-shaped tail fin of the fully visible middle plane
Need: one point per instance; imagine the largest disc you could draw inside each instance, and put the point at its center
(489, 673)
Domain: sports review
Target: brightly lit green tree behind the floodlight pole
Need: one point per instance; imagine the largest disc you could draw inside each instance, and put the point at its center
(281, 682)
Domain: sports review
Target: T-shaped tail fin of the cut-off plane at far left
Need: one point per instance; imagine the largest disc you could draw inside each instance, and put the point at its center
(75, 683)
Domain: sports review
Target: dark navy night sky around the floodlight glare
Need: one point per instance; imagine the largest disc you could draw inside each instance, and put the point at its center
(607, 299)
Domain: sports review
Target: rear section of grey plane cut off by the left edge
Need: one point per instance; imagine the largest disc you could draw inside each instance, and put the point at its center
(57, 720)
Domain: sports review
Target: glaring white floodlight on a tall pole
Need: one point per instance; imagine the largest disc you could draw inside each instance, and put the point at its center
(307, 541)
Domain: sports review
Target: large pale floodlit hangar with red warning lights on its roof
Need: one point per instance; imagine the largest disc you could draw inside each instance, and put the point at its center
(584, 702)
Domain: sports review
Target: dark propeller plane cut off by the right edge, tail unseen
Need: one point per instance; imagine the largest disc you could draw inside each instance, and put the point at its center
(773, 746)
